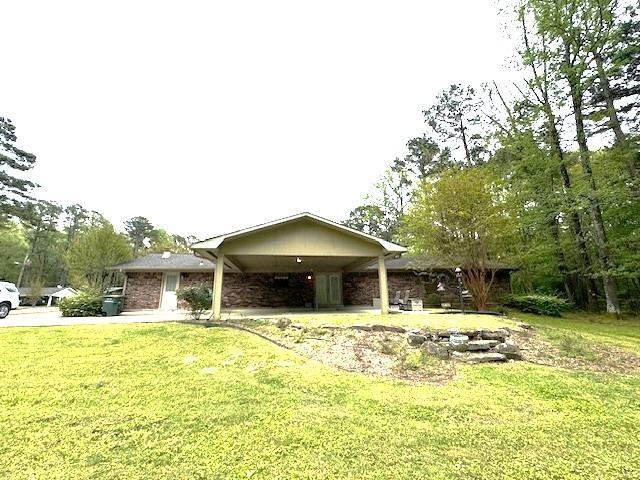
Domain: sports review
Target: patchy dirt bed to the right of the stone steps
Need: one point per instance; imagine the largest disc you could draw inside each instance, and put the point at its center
(574, 352)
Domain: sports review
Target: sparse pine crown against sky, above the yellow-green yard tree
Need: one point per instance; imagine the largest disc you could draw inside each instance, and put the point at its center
(454, 117)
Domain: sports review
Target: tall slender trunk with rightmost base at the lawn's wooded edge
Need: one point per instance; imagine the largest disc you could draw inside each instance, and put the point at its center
(598, 230)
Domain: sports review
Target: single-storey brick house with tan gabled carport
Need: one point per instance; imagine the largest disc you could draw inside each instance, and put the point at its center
(299, 261)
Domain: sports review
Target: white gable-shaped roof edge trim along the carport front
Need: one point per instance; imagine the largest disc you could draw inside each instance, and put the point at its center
(215, 242)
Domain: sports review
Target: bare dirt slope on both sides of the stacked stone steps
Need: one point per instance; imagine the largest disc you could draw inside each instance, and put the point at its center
(388, 354)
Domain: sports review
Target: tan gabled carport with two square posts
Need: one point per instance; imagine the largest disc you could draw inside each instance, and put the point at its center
(300, 244)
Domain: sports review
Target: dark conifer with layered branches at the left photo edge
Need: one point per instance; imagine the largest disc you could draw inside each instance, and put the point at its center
(14, 191)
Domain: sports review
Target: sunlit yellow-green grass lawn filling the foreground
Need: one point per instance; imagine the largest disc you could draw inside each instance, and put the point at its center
(172, 401)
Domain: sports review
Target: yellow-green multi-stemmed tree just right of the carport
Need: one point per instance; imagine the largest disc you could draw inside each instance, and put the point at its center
(463, 216)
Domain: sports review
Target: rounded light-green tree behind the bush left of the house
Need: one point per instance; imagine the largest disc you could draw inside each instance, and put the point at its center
(93, 251)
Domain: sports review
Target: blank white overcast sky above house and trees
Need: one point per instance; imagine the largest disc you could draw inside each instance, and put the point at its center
(211, 116)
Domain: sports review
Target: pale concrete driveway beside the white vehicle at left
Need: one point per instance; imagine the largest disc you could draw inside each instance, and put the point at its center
(50, 316)
